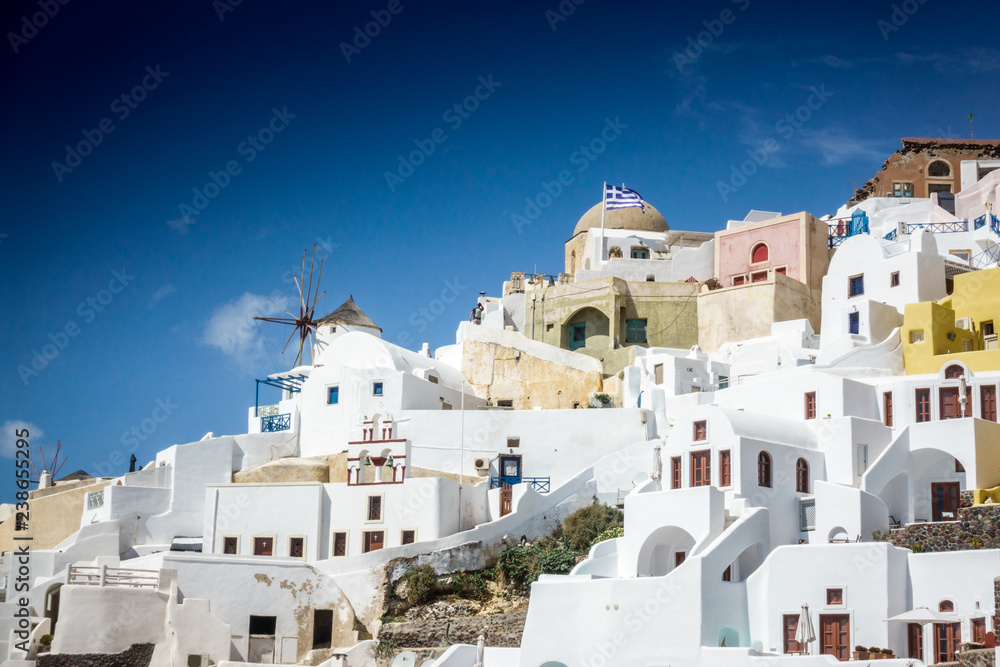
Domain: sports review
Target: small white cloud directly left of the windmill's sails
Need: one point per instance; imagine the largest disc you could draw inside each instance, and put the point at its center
(232, 329)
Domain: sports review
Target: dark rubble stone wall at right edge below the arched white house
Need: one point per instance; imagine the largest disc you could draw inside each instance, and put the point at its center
(977, 528)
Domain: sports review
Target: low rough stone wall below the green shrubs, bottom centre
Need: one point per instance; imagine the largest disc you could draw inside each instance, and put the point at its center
(498, 629)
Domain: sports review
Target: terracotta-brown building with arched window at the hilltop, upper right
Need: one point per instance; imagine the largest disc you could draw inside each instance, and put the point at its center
(925, 166)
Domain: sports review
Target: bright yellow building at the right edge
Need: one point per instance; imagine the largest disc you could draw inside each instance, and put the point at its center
(959, 327)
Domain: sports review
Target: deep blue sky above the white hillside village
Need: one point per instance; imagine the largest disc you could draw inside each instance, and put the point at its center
(278, 126)
